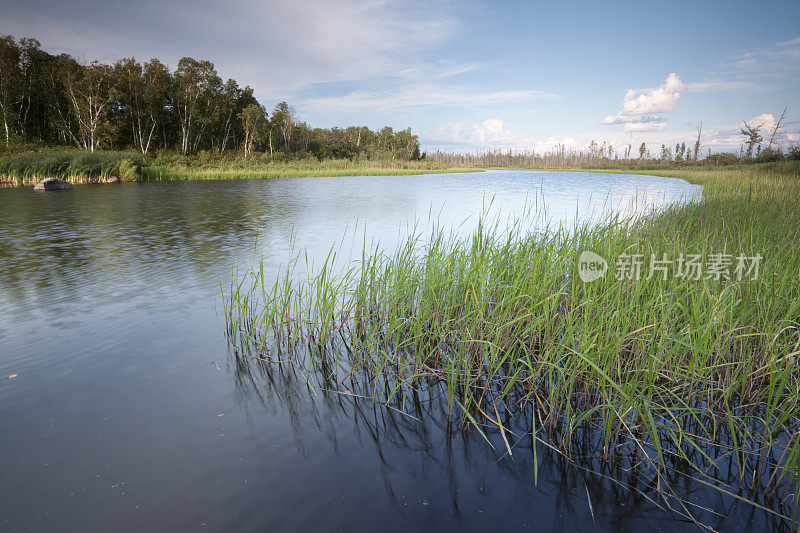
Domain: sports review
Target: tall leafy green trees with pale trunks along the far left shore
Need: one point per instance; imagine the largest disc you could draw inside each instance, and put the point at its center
(54, 100)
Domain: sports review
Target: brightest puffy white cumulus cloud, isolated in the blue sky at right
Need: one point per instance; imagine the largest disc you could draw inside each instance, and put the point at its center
(638, 107)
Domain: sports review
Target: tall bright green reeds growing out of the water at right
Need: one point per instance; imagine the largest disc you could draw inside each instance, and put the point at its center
(679, 373)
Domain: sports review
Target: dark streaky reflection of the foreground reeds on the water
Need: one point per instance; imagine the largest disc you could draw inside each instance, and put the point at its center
(418, 421)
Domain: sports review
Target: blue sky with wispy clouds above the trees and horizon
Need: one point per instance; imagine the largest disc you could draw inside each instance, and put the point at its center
(470, 75)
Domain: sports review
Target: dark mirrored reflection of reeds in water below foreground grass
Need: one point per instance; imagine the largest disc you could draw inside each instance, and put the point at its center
(418, 439)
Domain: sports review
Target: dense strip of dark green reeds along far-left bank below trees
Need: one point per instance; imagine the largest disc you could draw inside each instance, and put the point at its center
(82, 166)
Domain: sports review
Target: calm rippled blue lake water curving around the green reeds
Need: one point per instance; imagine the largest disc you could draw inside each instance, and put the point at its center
(130, 413)
